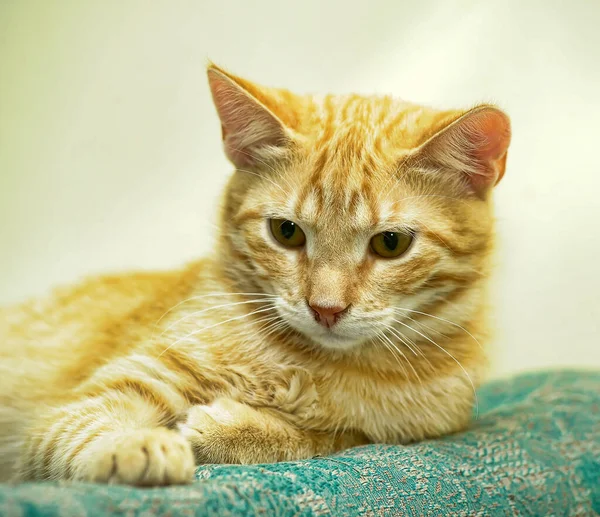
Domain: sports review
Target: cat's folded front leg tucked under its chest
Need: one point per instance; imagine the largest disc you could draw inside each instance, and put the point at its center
(227, 431)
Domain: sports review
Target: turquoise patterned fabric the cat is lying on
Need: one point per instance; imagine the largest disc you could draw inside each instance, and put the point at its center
(534, 450)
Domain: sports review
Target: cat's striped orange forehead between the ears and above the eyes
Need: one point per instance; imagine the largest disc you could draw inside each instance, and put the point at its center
(346, 170)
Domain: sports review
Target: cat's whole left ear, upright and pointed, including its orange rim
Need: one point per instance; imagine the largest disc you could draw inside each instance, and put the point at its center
(251, 131)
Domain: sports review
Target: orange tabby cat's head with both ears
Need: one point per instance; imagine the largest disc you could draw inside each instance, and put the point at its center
(354, 211)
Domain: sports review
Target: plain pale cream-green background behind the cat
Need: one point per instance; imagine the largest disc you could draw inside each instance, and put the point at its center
(110, 152)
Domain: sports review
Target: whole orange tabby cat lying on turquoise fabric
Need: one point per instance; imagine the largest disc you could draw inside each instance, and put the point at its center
(344, 303)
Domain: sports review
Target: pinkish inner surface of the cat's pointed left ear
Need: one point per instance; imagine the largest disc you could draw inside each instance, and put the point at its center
(246, 124)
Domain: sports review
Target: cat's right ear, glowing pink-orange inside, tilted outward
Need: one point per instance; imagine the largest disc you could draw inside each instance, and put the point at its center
(472, 145)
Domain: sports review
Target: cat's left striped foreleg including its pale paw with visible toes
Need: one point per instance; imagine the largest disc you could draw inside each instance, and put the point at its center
(118, 436)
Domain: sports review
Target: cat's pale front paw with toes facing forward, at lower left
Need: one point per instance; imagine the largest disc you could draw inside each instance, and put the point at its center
(150, 457)
